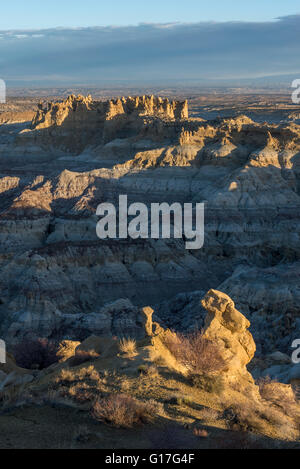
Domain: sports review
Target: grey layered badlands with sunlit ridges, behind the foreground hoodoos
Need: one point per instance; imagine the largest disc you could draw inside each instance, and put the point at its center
(57, 277)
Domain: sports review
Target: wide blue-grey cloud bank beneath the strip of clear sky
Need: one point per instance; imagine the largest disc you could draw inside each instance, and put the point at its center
(149, 52)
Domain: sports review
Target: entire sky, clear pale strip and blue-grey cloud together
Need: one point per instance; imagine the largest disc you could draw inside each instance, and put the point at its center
(93, 42)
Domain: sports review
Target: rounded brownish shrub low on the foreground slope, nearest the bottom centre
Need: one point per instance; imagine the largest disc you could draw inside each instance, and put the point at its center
(121, 410)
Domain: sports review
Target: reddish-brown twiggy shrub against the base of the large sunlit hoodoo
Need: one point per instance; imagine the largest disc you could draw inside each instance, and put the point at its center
(198, 354)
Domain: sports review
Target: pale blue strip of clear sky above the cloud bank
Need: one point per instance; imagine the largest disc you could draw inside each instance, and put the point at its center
(37, 14)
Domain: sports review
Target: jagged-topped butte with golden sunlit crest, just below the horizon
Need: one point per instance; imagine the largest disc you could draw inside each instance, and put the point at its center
(97, 122)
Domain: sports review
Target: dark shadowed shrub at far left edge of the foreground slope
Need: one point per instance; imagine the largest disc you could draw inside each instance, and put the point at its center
(36, 354)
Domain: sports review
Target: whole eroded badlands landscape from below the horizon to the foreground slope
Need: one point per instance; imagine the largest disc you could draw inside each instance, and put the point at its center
(199, 340)
